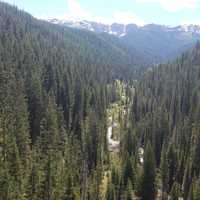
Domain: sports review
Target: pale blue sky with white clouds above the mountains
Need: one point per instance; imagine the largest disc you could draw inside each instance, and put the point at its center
(140, 12)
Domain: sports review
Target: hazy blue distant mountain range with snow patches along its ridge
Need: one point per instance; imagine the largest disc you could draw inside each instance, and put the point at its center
(156, 43)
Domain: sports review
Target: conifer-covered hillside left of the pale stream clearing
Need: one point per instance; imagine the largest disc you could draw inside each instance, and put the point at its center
(53, 100)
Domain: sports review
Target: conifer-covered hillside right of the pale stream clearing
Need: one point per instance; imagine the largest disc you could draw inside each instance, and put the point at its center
(165, 114)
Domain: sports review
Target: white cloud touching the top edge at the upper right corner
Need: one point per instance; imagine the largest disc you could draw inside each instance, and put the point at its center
(174, 5)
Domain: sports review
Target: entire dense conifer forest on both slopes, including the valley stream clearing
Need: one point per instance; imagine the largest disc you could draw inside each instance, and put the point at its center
(75, 124)
